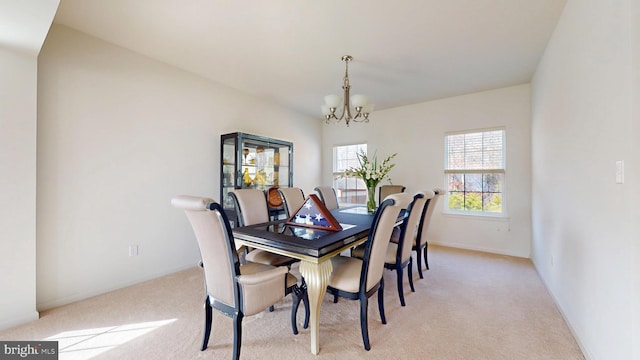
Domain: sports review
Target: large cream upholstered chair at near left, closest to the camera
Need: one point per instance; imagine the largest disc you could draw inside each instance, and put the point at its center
(233, 289)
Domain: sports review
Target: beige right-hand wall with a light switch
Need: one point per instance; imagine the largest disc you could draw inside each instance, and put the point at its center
(584, 224)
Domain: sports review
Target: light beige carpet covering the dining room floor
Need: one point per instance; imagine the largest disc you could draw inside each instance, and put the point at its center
(470, 305)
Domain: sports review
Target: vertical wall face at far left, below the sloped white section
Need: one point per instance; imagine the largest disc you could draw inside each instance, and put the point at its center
(17, 187)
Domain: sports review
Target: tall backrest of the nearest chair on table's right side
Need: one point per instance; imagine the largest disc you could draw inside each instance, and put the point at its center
(376, 245)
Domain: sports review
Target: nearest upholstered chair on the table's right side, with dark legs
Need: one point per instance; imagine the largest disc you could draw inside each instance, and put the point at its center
(359, 279)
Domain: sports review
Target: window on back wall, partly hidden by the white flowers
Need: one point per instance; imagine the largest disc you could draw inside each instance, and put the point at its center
(349, 190)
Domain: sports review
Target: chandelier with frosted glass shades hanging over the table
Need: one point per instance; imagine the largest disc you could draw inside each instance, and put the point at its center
(359, 102)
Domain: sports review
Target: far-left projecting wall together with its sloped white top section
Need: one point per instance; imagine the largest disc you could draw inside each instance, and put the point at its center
(24, 28)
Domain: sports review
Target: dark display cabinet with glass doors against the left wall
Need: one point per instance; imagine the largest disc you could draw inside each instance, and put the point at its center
(253, 162)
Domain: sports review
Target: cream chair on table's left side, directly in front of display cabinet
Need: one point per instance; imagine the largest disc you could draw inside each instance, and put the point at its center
(251, 208)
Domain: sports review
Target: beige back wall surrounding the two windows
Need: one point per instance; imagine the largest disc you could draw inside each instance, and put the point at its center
(416, 133)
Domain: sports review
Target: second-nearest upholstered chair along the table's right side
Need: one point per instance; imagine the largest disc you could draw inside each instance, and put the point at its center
(398, 255)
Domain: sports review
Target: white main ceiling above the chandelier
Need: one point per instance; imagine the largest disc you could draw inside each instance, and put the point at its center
(287, 51)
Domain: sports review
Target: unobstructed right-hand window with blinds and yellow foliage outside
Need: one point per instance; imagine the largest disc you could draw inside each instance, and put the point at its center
(474, 171)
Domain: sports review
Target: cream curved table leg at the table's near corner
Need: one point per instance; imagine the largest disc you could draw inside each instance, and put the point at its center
(316, 276)
